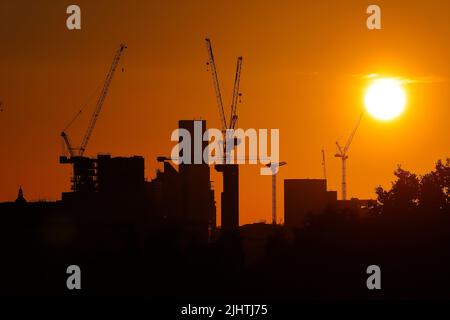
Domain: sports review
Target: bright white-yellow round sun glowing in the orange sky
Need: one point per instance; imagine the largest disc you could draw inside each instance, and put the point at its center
(385, 98)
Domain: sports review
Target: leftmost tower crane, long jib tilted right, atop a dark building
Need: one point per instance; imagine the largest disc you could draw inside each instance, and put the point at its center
(98, 107)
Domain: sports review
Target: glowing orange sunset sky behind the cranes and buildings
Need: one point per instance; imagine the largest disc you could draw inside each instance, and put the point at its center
(304, 72)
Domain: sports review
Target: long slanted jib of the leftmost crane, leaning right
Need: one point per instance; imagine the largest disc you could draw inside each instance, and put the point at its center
(102, 98)
